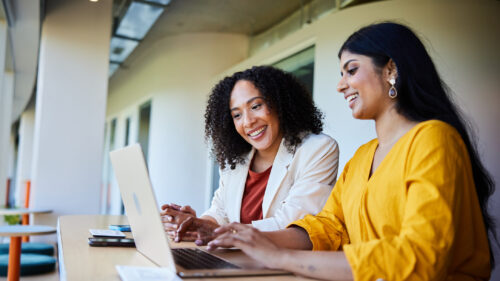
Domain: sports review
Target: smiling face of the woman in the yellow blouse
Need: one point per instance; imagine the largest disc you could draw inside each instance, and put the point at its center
(364, 86)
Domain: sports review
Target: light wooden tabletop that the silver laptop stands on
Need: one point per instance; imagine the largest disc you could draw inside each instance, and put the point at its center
(79, 261)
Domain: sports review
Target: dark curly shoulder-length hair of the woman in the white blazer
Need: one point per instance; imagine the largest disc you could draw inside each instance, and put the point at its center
(282, 92)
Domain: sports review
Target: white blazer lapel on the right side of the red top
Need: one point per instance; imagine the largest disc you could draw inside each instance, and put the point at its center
(278, 172)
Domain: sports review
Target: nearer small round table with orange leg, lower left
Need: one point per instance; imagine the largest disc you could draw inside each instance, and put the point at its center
(16, 232)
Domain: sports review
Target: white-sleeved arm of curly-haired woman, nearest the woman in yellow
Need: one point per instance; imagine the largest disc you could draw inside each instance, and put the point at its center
(315, 173)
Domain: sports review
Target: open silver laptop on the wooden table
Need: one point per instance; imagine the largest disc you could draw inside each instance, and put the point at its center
(150, 237)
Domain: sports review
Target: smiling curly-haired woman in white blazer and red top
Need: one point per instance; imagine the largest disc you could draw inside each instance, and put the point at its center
(276, 166)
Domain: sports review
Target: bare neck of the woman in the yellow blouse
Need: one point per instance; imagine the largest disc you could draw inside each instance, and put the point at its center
(391, 126)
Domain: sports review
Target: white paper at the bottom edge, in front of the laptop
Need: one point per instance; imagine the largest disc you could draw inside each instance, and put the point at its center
(138, 273)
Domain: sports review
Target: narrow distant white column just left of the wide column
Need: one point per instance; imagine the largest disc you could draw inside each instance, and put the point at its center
(25, 153)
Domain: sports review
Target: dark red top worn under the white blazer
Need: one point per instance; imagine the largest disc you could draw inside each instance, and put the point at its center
(251, 203)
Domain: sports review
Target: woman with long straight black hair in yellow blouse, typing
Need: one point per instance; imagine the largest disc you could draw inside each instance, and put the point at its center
(410, 204)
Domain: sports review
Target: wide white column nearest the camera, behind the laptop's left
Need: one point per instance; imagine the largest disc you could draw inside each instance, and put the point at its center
(70, 108)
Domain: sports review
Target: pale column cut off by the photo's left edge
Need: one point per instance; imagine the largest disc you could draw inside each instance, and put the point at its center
(5, 115)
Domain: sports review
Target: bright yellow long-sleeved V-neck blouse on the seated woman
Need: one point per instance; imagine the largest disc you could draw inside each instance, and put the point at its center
(416, 218)
